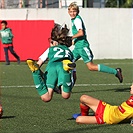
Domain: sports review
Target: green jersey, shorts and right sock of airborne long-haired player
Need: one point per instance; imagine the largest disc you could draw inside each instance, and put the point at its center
(54, 72)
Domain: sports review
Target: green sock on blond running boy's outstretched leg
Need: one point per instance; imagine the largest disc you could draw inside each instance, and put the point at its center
(106, 69)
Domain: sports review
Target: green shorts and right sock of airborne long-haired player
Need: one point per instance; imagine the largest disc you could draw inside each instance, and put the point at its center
(55, 75)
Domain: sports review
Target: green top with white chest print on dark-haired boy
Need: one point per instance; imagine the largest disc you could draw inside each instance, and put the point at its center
(6, 36)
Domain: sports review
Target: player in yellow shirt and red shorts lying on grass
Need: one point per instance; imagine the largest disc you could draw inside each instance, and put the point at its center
(104, 112)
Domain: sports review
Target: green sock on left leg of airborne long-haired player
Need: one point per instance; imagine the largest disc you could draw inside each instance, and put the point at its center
(39, 83)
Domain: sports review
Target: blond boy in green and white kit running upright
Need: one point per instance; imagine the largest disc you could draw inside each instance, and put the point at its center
(82, 46)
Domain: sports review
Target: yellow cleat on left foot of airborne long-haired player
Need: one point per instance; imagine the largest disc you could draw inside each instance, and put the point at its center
(32, 65)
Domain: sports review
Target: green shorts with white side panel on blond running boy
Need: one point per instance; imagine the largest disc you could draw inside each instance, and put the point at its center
(85, 53)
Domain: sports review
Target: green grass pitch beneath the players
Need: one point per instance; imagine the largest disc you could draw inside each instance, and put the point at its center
(24, 112)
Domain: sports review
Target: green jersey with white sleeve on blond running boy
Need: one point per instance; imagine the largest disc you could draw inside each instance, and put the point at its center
(80, 41)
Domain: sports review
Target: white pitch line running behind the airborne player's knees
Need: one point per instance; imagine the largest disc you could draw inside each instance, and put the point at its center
(76, 85)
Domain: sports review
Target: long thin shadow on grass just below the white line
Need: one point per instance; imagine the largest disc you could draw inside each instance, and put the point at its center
(114, 89)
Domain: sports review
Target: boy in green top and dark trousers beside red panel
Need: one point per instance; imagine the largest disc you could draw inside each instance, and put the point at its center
(6, 37)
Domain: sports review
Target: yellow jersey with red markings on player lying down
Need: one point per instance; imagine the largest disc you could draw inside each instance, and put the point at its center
(116, 114)
